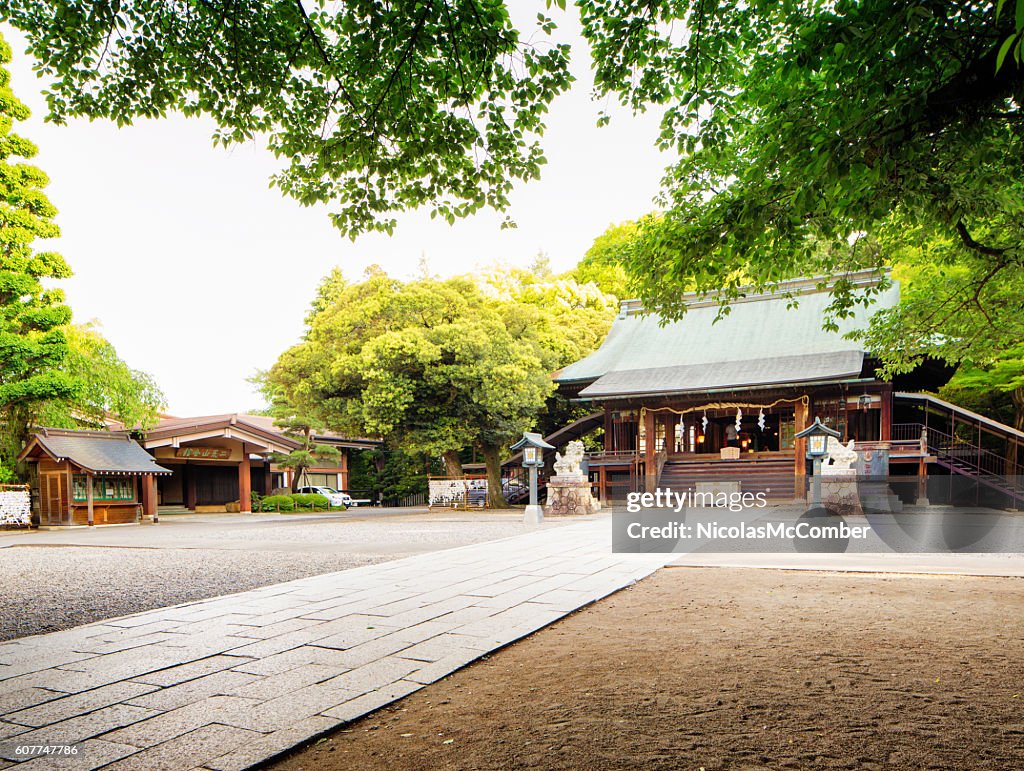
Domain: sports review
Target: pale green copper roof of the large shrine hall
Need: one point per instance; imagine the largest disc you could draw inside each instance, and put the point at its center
(758, 331)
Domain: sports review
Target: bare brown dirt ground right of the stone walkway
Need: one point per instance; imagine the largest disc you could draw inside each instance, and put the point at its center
(715, 668)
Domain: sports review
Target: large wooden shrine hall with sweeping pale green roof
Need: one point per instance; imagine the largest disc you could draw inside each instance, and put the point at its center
(701, 398)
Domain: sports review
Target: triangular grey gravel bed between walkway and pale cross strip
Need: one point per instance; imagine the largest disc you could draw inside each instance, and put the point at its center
(47, 589)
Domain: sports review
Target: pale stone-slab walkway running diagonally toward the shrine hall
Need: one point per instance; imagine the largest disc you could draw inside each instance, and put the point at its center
(226, 683)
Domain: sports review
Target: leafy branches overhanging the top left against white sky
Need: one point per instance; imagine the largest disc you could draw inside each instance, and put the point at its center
(375, 108)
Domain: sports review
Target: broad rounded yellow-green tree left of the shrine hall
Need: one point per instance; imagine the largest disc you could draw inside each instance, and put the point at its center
(437, 366)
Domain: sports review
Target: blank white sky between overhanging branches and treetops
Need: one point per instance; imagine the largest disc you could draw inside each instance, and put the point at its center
(200, 274)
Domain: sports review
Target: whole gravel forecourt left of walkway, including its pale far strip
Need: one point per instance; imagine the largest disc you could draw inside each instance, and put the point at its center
(58, 580)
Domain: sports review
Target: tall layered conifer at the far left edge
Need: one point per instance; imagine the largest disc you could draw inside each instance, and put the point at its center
(33, 344)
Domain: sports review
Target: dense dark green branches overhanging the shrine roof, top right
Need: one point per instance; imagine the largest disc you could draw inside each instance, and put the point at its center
(807, 125)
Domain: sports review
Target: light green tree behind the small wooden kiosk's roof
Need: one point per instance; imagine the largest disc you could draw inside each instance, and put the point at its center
(108, 388)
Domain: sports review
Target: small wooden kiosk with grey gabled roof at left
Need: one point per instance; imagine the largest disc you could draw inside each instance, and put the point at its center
(91, 478)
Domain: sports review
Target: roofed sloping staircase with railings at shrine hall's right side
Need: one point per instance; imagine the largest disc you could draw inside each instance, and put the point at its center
(964, 443)
